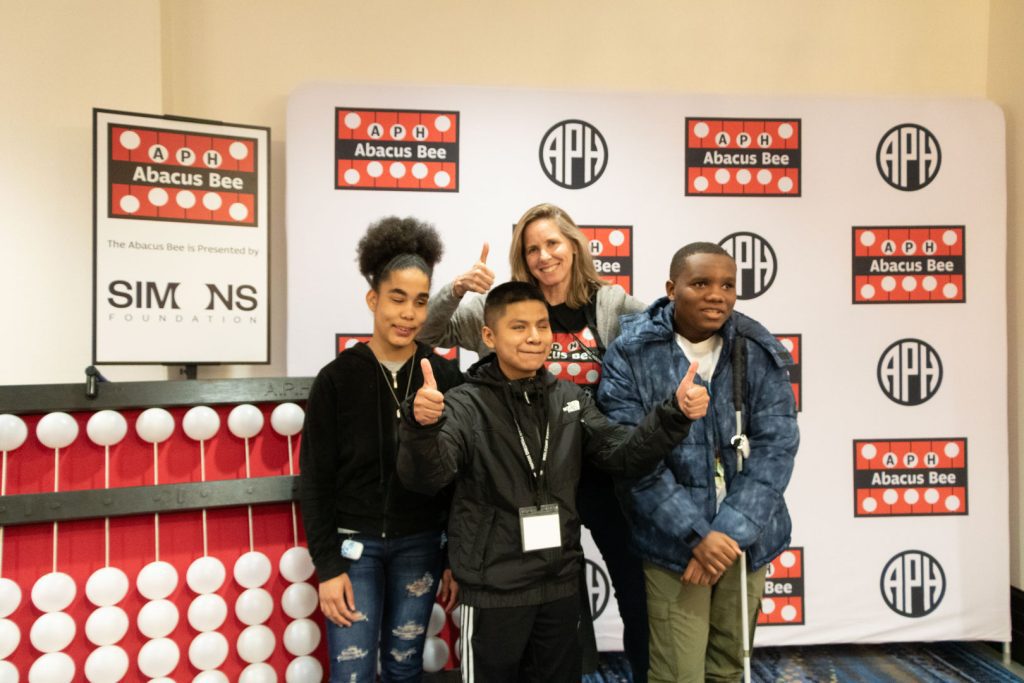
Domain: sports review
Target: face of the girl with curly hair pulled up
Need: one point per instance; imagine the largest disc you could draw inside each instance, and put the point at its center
(400, 307)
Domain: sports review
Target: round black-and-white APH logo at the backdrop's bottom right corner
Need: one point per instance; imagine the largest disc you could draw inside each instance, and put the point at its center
(913, 584)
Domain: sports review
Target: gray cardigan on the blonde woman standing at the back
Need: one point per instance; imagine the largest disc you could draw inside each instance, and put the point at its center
(450, 324)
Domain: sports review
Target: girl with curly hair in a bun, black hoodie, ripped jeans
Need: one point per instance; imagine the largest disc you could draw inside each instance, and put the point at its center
(378, 548)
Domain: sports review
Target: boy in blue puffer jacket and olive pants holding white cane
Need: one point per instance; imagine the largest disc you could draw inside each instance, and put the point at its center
(694, 517)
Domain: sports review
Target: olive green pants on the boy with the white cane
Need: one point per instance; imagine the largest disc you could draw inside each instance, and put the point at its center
(696, 632)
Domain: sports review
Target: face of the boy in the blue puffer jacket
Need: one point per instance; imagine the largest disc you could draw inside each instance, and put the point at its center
(705, 293)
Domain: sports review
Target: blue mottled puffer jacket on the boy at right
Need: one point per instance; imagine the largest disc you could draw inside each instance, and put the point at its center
(672, 509)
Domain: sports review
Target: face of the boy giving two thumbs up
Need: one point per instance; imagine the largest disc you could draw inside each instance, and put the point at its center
(522, 338)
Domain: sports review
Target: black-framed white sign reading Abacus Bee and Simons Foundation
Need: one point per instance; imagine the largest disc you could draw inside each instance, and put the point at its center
(181, 241)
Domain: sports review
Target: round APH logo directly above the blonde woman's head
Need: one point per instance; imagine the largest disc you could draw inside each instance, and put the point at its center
(574, 154)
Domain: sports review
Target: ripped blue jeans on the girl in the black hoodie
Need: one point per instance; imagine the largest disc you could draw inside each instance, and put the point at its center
(395, 584)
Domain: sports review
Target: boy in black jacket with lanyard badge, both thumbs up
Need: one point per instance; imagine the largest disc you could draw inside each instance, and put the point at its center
(513, 439)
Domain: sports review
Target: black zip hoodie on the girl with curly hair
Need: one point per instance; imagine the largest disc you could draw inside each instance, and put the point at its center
(348, 456)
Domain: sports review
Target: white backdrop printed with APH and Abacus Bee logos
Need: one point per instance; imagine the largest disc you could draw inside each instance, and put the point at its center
(870, 237)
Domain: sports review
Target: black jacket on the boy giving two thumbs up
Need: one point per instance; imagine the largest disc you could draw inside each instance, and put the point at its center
(477, 446)
